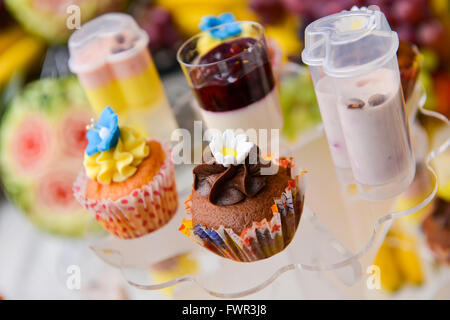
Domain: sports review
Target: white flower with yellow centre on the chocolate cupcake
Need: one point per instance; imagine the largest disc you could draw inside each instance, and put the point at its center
(230, 149)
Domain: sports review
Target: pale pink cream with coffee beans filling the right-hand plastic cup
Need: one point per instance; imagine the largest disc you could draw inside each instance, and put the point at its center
(372, 115)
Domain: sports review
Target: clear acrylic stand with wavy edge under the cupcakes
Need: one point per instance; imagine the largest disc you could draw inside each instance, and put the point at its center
(338, 232)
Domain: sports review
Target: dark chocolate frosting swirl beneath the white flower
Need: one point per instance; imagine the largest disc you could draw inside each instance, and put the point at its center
(225, 186)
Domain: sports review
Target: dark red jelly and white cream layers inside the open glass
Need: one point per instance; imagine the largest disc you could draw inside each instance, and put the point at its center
(242, 95)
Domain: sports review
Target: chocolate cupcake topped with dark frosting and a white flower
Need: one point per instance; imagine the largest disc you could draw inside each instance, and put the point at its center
(242, 207)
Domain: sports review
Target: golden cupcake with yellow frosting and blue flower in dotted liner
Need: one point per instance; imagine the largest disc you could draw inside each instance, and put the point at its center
(128, 182)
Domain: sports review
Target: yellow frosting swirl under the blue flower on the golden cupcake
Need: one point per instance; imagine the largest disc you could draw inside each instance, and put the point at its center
(119, 163)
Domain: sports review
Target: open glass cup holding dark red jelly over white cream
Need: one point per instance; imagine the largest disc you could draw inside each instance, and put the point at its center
(232, 79)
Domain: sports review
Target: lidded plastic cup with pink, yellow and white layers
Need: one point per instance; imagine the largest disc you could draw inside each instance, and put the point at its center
(110, 56)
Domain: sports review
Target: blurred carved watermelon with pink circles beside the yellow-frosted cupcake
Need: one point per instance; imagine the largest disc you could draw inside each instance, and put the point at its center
(42, 138)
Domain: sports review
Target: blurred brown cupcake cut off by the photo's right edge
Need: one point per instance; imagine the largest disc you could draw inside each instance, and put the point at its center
(437, 230)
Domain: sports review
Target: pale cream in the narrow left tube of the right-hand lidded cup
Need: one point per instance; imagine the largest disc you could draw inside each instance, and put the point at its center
(327, 101)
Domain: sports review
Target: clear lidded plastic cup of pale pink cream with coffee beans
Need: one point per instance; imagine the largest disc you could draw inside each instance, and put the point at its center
(357, 51)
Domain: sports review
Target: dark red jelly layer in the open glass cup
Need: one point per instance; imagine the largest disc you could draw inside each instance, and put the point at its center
(233, 75)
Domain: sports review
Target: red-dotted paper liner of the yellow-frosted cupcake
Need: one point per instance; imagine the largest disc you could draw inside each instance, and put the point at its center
(143, 211)
